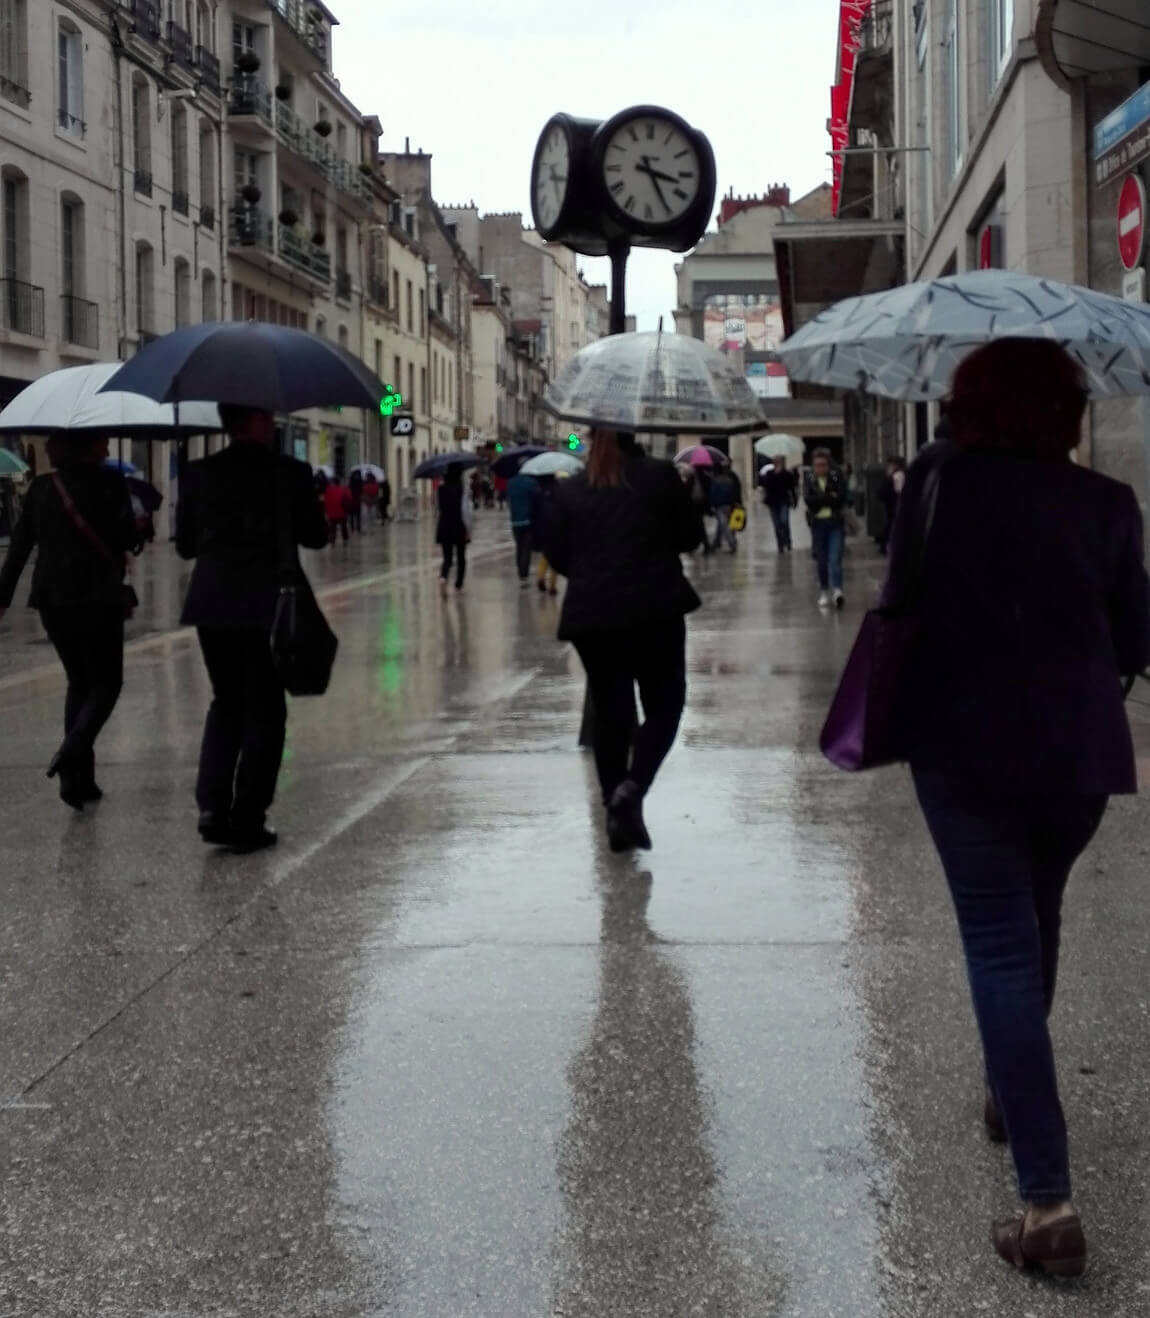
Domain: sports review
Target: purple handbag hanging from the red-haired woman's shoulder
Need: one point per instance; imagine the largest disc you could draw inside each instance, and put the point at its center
(861, 730)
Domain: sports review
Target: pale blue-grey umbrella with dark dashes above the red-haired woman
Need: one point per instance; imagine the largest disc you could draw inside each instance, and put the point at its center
(908, 342)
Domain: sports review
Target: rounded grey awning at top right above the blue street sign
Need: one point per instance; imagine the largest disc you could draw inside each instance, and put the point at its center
(1081, 38)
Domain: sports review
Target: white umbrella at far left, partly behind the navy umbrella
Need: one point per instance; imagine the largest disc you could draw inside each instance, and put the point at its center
(72, 401)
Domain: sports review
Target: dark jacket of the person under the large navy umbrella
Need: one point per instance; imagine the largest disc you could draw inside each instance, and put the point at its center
(227, 523)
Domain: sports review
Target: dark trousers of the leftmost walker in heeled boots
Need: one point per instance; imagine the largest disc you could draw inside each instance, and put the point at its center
(90, 644)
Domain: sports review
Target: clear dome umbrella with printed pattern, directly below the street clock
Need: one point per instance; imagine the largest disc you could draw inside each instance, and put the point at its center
(663, 383)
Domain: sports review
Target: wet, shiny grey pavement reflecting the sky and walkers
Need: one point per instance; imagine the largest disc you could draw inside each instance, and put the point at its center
(442, 1055)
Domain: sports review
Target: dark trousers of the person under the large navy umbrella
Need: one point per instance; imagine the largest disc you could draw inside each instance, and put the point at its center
(246, 728)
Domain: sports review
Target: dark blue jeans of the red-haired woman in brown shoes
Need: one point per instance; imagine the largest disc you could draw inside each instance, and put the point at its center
(1008, 864)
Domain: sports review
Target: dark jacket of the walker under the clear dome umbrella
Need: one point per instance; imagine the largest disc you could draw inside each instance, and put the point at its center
(620, 549)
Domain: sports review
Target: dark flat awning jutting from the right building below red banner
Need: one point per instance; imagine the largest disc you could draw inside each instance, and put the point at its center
(825, 262)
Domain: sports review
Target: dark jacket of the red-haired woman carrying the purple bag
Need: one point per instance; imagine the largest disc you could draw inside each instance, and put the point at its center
(1036, 600)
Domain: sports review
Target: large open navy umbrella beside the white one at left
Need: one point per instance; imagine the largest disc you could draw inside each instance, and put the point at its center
(250, 363)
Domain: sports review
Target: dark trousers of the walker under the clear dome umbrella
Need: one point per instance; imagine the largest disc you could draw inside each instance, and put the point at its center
(655, 660)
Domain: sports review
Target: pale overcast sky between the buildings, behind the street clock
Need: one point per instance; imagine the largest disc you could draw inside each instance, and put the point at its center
(474, 82)
